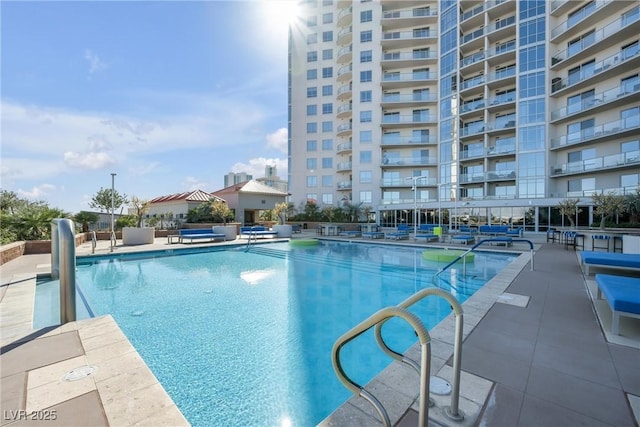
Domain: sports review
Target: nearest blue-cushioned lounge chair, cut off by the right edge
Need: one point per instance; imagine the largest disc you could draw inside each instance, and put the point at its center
(622, 295)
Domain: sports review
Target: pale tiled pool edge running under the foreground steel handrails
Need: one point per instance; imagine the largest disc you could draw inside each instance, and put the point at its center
(397, 386)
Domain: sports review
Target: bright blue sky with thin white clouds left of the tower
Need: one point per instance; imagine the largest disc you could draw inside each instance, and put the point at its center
(168, 95)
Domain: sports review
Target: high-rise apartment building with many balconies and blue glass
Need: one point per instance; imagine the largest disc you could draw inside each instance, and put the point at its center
(485, 111)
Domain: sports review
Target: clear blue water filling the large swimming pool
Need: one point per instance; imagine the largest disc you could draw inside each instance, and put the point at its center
(244, 338)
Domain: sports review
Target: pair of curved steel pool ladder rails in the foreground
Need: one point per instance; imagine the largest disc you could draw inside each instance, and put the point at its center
(377, 320)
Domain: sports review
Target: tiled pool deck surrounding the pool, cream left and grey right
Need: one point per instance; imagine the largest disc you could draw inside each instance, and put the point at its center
(536, 352)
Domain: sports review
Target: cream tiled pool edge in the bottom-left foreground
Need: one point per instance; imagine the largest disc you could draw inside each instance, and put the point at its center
(121, 377)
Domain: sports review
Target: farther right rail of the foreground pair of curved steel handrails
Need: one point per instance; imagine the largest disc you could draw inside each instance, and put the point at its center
(453, 411)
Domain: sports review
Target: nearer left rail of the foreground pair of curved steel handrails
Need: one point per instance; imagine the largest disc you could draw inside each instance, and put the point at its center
(425, 359)
